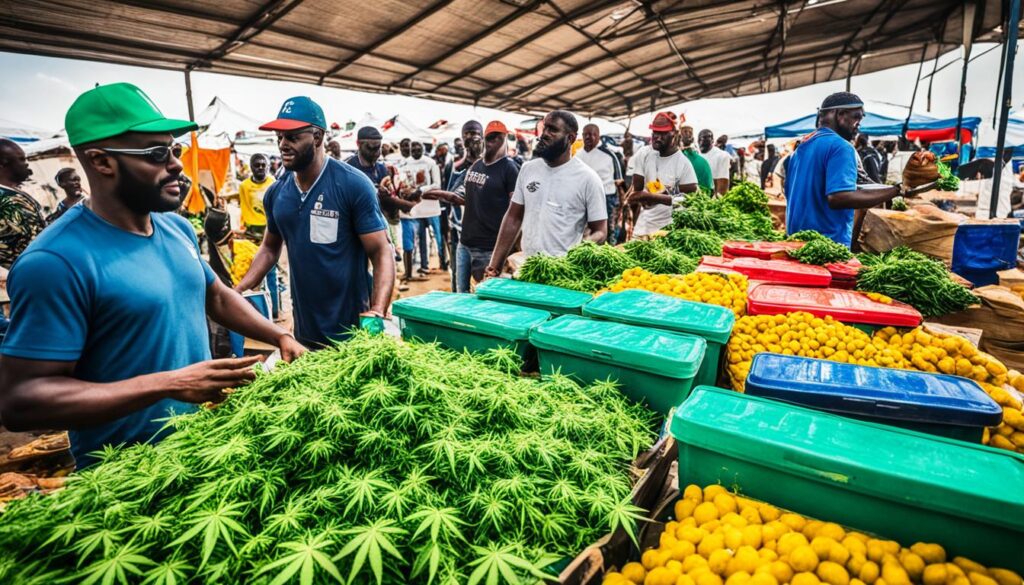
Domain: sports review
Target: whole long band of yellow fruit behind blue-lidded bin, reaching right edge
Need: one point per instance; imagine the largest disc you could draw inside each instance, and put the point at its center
(825, 339)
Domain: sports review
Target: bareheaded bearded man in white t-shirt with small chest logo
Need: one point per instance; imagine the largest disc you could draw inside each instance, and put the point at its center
(557, 198)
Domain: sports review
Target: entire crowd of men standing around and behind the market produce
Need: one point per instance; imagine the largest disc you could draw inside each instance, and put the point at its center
(112, 301)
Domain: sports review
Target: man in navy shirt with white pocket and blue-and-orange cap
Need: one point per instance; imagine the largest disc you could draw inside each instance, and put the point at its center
(327, 214)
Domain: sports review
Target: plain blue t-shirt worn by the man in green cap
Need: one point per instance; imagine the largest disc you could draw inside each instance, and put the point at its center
(119, 305)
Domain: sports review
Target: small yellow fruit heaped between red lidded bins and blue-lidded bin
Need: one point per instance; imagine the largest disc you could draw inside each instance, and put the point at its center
(805, 336)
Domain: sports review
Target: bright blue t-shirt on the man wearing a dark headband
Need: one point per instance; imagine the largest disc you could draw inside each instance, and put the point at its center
(824, 164)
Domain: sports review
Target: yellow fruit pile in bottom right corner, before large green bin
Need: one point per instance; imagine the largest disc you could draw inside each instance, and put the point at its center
(720, 538)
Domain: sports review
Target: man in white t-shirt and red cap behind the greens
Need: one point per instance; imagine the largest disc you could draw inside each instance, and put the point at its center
(664, 163)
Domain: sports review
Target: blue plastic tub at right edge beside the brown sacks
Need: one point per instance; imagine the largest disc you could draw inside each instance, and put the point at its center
(982, 250)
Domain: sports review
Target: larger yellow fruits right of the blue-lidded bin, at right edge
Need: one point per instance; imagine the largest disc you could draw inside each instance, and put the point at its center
(936, 352)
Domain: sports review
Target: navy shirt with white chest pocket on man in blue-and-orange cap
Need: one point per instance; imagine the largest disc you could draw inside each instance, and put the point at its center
(328, 264)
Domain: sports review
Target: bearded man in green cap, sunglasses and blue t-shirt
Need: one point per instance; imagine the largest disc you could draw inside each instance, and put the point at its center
(109, 307)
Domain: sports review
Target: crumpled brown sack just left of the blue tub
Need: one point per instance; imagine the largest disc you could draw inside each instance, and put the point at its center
(925, 229)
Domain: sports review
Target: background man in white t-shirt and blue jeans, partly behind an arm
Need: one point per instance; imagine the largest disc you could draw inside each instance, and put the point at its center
(421, 173)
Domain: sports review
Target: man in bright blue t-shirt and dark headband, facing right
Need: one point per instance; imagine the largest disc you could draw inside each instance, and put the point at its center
(822, 176)
